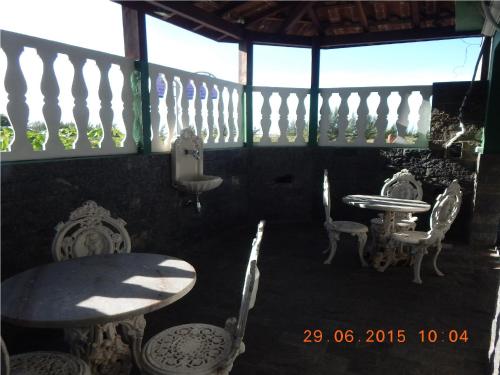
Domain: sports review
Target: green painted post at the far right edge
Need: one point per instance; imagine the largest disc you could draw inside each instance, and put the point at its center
(491, 140)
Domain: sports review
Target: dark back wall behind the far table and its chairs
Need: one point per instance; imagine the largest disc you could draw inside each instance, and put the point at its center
(286, 183)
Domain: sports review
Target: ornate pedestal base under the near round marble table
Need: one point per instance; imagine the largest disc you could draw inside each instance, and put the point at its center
(103, 348)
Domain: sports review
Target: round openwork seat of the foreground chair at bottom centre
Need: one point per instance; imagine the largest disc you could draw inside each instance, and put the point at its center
(187, 349)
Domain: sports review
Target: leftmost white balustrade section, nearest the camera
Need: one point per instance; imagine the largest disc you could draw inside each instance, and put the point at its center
(13, 45)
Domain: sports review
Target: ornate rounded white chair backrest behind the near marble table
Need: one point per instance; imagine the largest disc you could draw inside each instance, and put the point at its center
(90, 230)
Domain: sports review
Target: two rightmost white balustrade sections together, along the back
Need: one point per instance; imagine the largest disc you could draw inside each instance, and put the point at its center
(384, 116)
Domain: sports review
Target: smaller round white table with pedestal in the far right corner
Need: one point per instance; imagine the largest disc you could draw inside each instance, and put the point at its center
(389, 207)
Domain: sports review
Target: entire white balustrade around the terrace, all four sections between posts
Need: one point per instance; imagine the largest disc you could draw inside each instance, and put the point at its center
(212, 107)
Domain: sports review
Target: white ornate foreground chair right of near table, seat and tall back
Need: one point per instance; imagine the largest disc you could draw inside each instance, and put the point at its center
(204, 349)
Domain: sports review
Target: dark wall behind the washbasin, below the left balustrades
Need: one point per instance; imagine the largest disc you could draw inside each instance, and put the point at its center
(36, 196)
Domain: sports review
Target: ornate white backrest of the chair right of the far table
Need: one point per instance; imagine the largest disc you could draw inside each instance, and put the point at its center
(445, 210)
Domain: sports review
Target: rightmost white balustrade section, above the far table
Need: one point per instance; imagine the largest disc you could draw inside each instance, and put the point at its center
(360, 127)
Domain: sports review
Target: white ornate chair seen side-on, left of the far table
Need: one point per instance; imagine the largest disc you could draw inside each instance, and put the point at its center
(335, 228)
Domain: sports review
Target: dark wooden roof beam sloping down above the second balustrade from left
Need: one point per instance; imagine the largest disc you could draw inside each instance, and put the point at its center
(195, 14)
